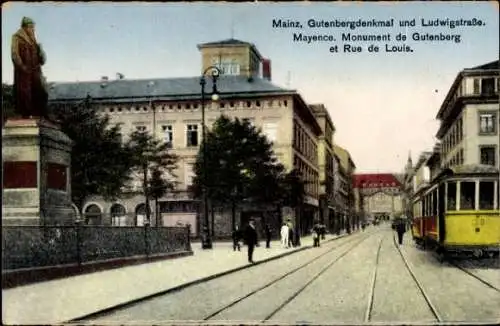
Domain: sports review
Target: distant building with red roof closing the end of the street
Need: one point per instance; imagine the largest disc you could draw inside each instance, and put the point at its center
(379, 194)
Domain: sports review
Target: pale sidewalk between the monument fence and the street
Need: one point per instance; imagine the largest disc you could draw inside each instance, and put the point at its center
(61, 300)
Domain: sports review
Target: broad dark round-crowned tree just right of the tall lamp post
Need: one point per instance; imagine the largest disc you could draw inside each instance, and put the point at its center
(240, 165)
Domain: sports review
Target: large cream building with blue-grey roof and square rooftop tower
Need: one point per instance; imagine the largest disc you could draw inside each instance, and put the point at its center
(170, 108)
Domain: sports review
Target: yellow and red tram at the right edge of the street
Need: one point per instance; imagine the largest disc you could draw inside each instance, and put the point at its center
(458, 213)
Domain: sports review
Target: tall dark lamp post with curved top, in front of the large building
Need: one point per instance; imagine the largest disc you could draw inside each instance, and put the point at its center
(206, 242)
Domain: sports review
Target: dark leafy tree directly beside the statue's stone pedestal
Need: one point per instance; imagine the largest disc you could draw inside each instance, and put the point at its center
(99, 161)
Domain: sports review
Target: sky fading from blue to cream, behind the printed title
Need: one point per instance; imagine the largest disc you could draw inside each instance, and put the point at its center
(383, 104)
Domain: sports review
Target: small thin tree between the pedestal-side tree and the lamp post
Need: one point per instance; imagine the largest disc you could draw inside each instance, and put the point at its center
(153, 164)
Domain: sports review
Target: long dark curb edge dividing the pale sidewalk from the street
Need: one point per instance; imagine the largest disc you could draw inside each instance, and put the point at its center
(198, 281)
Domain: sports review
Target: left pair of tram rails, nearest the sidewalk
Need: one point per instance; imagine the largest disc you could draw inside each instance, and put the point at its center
(295, 270)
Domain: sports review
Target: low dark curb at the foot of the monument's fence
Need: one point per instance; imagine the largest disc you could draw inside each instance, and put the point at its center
(25, 276)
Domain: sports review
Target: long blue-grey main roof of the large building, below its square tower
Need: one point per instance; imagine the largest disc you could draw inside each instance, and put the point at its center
(162, 88)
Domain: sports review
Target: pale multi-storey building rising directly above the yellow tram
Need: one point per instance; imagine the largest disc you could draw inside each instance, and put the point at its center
(469, 117)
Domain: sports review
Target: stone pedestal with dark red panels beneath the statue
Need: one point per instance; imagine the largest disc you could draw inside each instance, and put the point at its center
(36, 174)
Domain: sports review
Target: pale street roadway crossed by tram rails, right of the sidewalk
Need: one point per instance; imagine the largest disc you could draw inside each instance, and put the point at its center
(362, 278)
